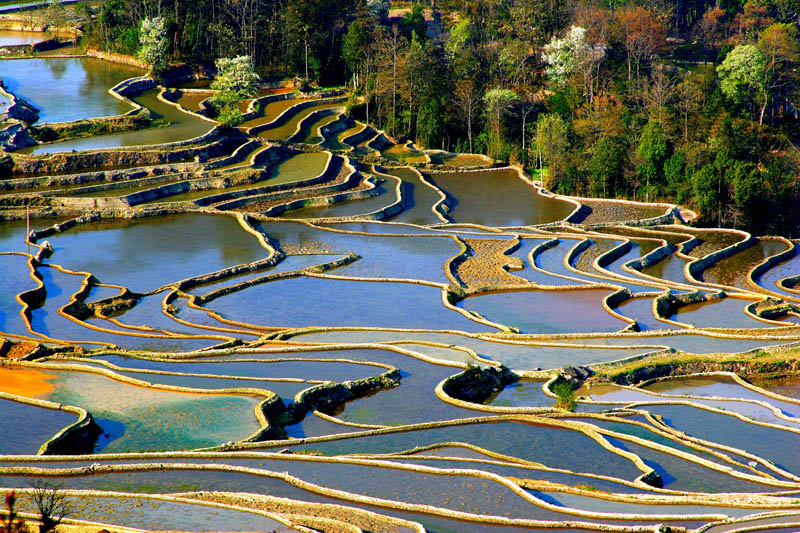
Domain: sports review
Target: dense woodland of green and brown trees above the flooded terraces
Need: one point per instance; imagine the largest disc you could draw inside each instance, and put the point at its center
(689, 101)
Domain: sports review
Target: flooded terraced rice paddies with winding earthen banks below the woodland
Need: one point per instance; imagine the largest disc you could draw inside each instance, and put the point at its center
(303, 326)
